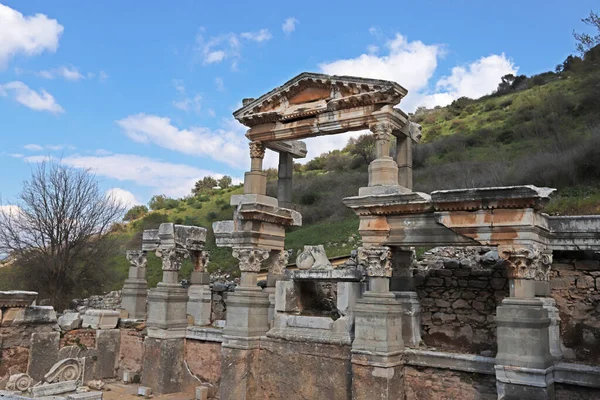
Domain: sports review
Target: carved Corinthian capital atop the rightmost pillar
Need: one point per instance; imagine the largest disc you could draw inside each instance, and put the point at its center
(526, 261)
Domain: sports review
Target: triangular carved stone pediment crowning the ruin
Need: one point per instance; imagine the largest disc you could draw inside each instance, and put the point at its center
(310, 94)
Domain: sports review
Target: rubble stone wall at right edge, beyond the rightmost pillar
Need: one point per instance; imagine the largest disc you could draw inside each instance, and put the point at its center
(576, 289)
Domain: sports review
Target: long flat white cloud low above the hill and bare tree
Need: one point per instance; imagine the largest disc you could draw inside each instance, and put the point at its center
(171, 179)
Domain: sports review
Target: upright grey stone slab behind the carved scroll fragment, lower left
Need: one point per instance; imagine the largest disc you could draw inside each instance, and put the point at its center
(43, 354)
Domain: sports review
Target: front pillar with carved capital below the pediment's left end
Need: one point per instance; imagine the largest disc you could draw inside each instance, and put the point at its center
(247, 321)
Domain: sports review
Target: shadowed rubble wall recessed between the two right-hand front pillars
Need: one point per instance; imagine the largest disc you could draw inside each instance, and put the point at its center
(459, 290)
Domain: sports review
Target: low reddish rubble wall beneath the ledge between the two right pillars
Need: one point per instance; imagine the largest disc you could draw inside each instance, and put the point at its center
(422, 383)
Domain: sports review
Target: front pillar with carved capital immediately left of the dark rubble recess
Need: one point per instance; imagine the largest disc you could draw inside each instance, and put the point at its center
(377, 366)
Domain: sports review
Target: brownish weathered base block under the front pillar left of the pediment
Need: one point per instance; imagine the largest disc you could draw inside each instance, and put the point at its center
(164, 366)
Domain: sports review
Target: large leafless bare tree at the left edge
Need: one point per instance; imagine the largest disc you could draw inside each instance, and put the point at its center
(58, 233)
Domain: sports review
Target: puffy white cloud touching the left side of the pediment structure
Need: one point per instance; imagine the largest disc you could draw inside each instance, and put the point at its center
(226, 145)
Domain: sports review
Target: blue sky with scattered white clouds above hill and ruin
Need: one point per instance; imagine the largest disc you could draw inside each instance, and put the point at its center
(142, 92)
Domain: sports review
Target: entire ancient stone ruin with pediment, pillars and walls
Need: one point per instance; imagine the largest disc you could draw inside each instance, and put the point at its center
(506, 305)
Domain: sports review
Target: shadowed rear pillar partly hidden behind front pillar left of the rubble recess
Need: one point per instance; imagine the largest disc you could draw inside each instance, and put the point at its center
(403, 285)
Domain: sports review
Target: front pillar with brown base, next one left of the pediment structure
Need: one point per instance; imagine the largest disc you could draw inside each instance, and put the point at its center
(164, 368)
